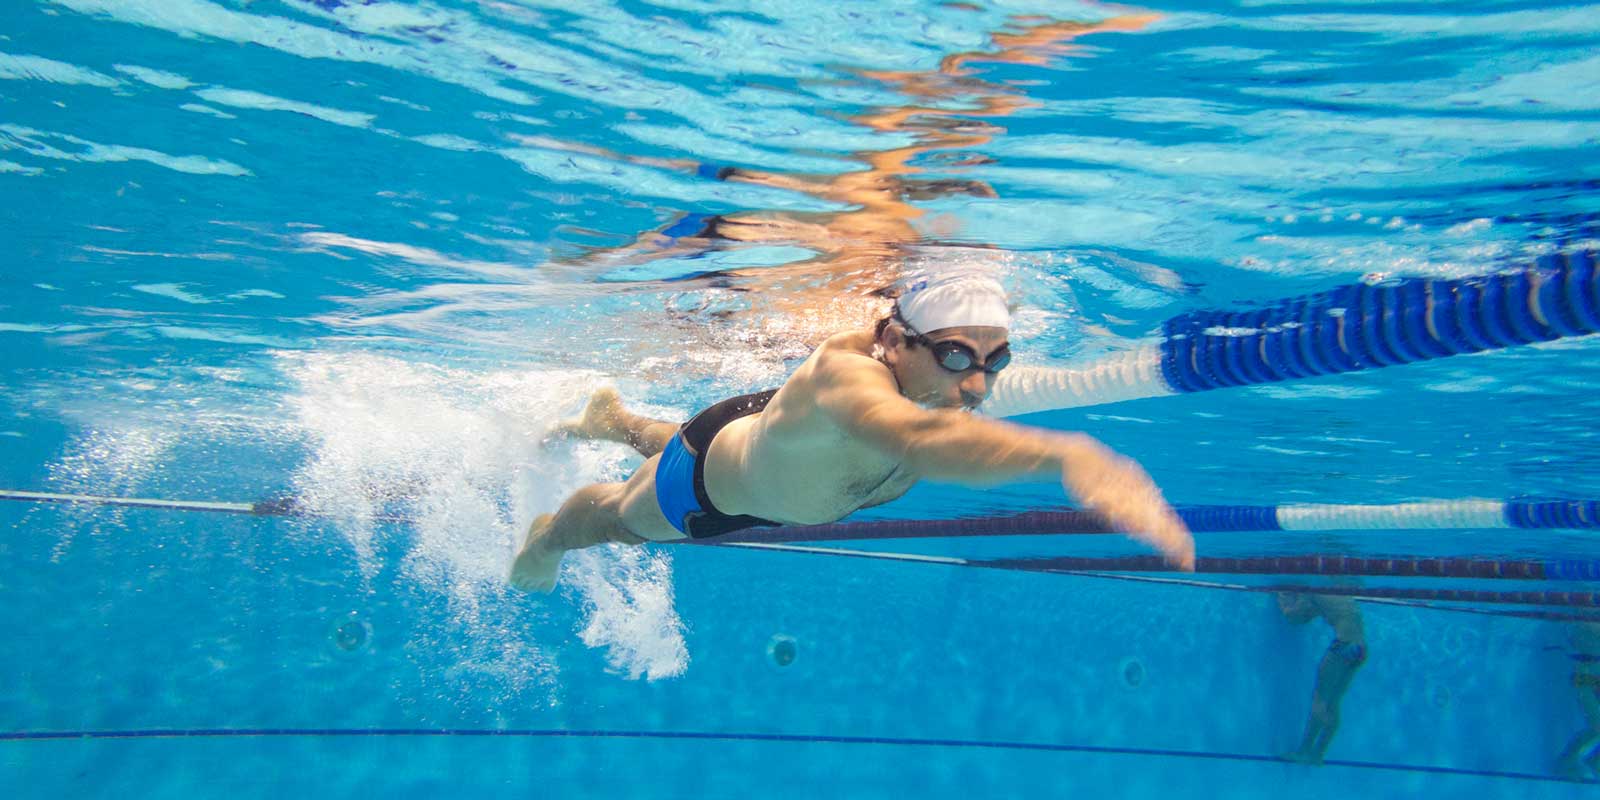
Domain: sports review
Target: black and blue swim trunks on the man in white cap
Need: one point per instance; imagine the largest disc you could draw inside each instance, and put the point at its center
(681, 474)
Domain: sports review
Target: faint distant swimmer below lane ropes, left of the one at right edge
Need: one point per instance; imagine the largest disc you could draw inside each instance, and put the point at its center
(1345, 657)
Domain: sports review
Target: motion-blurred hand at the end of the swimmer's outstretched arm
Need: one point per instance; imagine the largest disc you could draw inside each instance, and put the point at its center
(1119, 490)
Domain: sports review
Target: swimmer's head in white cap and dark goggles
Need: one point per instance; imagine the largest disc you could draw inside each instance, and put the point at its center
(946, 340)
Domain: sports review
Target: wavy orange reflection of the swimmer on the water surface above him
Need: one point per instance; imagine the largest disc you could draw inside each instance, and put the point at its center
(860, 249)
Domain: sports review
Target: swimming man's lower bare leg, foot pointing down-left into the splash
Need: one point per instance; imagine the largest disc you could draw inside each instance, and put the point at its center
(599, 514)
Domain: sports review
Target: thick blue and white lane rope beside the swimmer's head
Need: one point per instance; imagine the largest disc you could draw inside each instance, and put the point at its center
(1343, 330)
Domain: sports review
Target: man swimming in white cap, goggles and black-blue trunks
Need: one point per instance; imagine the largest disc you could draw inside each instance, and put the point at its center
(866, 417)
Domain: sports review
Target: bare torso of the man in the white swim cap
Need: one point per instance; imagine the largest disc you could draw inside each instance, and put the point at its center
(793, 463)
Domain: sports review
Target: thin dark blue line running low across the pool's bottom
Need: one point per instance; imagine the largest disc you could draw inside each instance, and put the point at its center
(737, 737)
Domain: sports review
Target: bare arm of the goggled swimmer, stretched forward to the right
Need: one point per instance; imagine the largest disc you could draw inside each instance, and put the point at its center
(966, 449)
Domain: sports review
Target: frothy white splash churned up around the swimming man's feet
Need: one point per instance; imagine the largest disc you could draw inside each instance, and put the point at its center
(463, 455)
